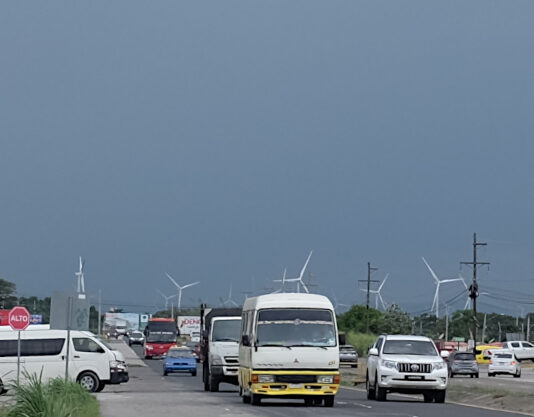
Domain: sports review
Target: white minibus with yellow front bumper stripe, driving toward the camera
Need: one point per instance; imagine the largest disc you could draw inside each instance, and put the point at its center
(289, 349)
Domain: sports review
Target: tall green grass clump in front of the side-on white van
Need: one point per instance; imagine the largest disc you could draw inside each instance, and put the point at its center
(55, 398)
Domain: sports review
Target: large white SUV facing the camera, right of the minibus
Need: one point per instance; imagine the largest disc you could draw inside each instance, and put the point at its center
(406, 364)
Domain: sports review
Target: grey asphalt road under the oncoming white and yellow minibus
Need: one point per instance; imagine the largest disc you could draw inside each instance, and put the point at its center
(149, 393)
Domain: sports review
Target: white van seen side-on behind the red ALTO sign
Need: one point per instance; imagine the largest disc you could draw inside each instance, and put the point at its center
(92, 363)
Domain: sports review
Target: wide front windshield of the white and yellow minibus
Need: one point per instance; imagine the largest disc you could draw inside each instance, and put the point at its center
(296, 327)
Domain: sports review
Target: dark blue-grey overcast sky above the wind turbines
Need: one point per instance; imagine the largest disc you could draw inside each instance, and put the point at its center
(222, 141)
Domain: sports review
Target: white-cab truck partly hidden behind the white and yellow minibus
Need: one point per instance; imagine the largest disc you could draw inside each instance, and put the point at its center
(219, 346)
